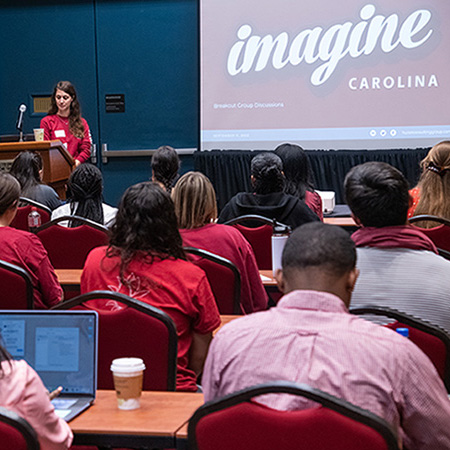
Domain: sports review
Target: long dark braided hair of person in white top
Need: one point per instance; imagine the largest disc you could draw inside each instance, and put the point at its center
(85, 187)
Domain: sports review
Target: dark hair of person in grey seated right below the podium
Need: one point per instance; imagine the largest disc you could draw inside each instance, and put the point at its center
(25, 168)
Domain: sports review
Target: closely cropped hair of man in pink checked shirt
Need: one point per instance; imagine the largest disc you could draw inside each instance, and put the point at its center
(319, 245)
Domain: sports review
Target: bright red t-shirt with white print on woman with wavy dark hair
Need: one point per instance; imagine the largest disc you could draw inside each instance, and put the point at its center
(177, 287)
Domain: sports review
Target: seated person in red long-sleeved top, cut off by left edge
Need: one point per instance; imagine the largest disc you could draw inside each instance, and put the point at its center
(24, 249)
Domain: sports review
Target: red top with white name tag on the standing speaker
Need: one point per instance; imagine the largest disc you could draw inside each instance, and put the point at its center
(56, 127)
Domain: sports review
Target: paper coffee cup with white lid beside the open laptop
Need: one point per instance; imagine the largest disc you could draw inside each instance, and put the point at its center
(128, 374)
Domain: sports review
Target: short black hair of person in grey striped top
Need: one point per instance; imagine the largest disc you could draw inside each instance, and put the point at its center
(377, 194)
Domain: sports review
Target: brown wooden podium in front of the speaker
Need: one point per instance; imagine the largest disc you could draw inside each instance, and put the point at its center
(57, 161)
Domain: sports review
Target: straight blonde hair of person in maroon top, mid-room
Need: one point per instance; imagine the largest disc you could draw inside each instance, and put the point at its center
(195, 200)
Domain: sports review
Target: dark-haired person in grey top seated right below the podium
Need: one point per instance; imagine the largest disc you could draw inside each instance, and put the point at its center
(27, 169)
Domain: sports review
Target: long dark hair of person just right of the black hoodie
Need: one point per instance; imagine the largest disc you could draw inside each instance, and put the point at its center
(296, 168)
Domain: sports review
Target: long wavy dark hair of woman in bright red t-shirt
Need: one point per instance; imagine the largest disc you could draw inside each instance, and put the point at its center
(145, 225)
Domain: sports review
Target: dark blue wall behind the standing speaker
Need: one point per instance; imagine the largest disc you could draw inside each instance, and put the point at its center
(146, 50)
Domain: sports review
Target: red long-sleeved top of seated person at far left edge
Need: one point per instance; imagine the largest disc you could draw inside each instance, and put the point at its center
(25, 250)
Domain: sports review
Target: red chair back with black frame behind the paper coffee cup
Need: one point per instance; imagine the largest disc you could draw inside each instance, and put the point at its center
(132, 329)
